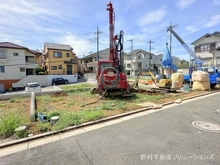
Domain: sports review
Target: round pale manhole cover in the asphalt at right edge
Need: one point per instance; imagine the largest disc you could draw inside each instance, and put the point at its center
(206, 126)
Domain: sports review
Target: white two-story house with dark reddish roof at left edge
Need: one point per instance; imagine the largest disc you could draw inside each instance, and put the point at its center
(16, 62)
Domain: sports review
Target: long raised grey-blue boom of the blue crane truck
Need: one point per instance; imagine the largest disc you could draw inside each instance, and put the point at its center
(197, 59)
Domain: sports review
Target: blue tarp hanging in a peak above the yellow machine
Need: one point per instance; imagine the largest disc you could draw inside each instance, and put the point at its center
(167, 61)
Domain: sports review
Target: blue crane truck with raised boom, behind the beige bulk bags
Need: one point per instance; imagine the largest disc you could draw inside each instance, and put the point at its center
(214, 74)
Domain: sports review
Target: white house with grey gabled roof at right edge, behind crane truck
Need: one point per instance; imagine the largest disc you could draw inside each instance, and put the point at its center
(205, 48)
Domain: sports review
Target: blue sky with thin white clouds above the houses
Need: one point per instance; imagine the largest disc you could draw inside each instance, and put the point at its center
(31, 23)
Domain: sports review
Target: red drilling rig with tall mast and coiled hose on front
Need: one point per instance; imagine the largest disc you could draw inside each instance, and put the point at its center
(110, 77)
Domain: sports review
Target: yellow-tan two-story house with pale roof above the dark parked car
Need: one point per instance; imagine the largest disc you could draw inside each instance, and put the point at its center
(59, 59)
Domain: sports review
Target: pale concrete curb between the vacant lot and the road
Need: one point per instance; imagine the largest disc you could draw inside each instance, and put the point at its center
(93, 122)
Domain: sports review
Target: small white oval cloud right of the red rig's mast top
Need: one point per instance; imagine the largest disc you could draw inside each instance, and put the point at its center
(152, 17)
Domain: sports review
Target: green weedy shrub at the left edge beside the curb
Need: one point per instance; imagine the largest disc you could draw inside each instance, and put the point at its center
(9, 123)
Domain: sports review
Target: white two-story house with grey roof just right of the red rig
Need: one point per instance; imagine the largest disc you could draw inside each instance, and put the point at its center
(139, 59)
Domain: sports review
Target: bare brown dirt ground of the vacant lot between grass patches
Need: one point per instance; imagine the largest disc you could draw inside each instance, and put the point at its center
(63, 101)
